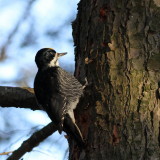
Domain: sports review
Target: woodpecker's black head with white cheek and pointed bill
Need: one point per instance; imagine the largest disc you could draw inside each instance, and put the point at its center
(47, 57)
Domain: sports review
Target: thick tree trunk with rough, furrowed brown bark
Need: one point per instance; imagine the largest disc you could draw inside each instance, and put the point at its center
(118, 51)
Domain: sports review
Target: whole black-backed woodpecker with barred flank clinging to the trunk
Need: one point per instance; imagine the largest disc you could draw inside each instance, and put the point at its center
(57, 92)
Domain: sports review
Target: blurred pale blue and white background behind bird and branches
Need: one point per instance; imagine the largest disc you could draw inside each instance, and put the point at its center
(25, 27)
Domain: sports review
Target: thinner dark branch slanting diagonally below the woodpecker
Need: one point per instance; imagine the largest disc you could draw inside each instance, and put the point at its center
(33, 141)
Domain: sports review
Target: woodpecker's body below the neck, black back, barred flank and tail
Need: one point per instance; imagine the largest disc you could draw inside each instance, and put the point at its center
(59, 92)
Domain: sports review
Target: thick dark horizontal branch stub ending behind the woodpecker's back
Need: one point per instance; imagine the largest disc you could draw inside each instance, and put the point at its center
(18, 97)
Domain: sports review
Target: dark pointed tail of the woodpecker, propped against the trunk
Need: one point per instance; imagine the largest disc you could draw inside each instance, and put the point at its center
(72, 130)
